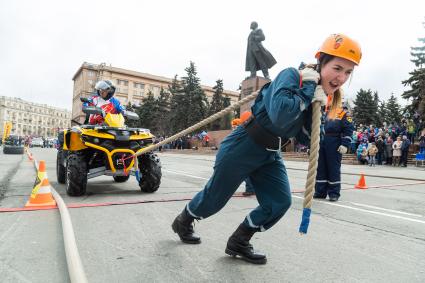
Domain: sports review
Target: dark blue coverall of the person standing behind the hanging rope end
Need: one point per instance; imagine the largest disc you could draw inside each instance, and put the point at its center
(337, 132)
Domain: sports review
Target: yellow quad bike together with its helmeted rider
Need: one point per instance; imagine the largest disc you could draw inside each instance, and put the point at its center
(105, 146)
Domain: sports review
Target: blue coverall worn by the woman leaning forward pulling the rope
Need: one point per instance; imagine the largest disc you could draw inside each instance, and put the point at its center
(282, 108)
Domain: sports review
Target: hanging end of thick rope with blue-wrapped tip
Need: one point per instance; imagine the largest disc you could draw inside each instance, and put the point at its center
(312, 167)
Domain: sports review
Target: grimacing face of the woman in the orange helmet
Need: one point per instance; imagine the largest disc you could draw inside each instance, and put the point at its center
(335, 73)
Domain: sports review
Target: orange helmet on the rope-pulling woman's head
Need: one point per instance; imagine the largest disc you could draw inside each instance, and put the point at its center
(340, 45)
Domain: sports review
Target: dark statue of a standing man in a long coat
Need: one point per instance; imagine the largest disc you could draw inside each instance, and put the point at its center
(258, 57)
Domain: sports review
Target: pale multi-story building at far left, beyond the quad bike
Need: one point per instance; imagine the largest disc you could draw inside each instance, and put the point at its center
(32, 119)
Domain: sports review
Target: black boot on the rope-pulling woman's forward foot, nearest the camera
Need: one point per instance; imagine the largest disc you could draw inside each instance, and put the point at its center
(238, 245)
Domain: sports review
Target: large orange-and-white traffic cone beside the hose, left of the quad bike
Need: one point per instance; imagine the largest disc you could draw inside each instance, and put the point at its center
(41, 194)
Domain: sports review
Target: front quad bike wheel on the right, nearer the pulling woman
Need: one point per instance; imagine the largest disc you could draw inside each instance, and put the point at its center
(150, 169)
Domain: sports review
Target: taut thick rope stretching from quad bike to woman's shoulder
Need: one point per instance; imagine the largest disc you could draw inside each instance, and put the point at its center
(199, 125)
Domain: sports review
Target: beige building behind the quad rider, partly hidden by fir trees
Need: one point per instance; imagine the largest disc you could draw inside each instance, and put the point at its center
(131, 86)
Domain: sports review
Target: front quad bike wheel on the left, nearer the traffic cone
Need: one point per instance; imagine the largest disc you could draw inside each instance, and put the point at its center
(76, 174)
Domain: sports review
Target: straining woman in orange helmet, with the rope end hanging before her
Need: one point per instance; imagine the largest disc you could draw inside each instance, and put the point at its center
(282, 110)
